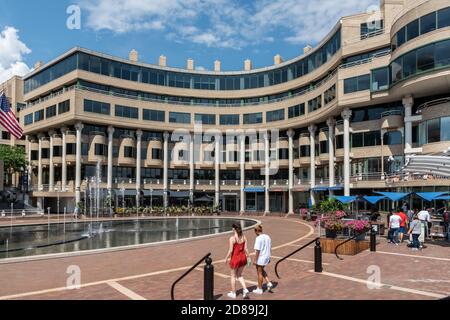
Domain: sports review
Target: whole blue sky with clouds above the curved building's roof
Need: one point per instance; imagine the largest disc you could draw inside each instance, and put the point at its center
(204, 30)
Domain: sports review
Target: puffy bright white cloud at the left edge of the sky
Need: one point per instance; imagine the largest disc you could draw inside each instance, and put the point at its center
(11, 54)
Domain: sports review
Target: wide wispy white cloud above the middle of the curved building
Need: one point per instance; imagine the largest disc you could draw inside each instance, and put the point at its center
(224, 23)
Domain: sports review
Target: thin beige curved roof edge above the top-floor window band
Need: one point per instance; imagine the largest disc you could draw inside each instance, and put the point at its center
(180, 70)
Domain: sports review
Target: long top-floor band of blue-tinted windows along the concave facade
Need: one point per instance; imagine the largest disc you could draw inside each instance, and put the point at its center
(131, 72)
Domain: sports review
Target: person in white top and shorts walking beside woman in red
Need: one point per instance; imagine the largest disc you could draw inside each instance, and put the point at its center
(263, 247)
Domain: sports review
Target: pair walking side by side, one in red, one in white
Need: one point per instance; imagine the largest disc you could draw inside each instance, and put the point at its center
(238, 258)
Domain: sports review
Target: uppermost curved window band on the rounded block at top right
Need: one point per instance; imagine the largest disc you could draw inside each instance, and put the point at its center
(430, 22)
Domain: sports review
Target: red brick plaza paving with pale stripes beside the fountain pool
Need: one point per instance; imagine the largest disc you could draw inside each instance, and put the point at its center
(148, 273)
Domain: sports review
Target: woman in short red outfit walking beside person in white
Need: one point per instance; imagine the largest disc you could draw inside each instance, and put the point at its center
(238, 253)
